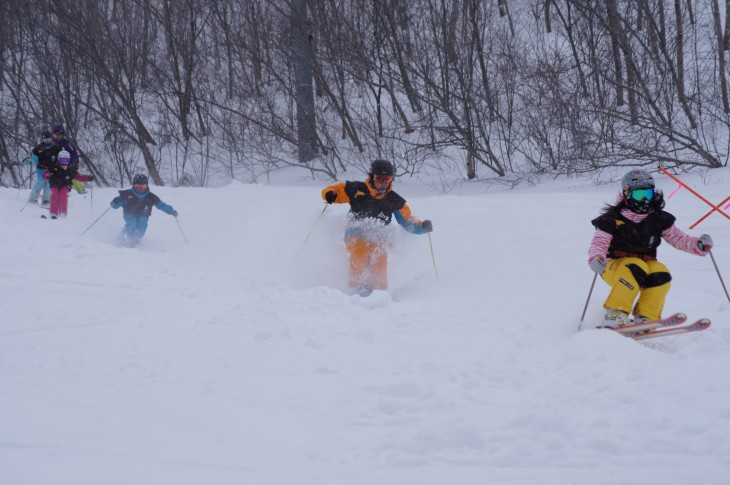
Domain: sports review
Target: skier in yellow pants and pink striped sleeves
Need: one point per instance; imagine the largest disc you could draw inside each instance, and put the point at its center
(624, 250)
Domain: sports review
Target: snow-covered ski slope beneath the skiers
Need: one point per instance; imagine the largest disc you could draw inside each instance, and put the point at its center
(240, 358)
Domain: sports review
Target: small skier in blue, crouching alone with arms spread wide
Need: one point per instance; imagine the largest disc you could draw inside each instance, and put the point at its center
(137, 203)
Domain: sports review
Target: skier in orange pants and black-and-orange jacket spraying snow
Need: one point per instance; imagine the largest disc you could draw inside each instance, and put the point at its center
(373, 204)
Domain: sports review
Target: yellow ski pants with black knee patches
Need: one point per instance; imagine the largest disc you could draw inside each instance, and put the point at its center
(632, 277)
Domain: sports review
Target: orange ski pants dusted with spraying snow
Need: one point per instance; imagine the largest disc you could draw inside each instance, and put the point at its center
(368, 264)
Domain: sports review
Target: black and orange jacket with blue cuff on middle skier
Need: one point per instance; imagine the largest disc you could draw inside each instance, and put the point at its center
(367, 205)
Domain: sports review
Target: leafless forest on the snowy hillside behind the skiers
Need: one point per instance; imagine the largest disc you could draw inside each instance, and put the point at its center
(192, 91)
